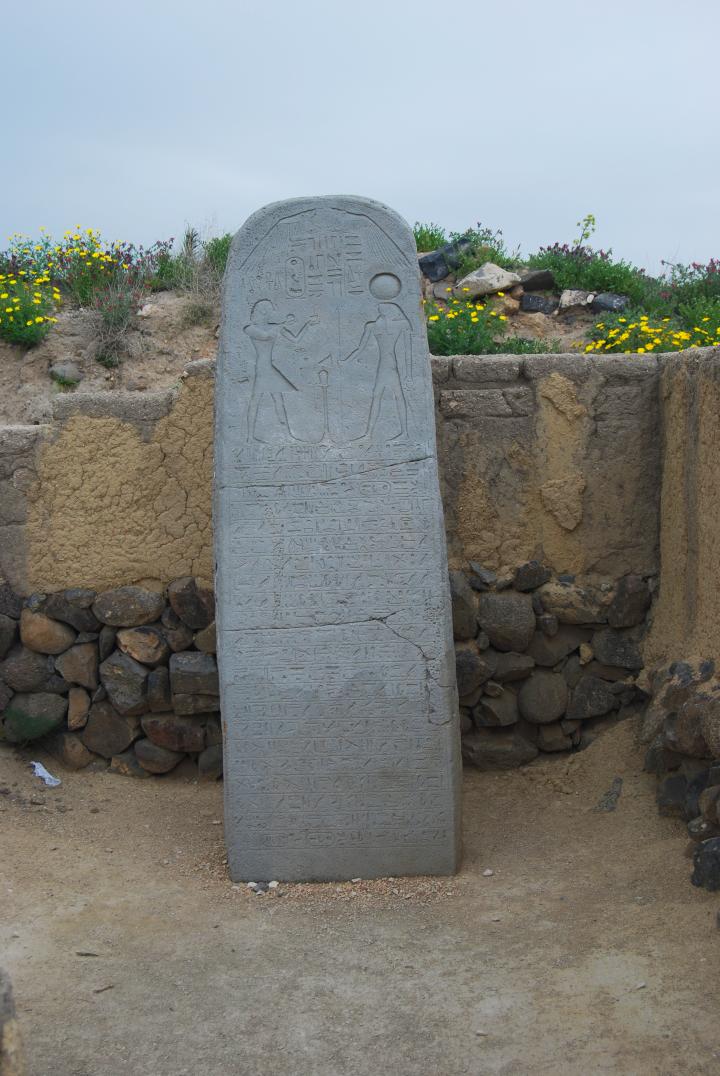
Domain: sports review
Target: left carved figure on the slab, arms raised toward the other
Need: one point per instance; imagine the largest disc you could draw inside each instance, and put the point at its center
(265, 328)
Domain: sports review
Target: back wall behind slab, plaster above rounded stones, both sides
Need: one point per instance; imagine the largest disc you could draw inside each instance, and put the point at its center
(552, 471)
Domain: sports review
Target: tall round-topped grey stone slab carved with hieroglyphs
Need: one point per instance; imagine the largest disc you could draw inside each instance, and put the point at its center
(334, 629)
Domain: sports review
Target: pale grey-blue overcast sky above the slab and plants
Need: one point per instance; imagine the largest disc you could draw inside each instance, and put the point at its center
(140, 118)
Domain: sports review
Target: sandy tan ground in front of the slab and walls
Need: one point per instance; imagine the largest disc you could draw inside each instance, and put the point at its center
(586, 952)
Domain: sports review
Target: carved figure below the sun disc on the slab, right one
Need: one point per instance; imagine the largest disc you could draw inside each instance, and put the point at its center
(391, 333)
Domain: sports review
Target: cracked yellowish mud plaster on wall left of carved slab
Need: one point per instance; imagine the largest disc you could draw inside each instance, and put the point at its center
(123, 491)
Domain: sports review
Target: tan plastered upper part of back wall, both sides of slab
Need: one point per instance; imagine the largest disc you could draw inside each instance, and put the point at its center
(549, 458)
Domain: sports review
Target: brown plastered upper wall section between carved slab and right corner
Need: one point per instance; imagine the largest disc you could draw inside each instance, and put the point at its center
(555, 458)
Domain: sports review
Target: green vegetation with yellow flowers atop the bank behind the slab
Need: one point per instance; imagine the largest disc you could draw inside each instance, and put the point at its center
(679, 309)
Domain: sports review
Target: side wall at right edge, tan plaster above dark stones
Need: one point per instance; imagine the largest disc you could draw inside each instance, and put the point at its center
(682, 726)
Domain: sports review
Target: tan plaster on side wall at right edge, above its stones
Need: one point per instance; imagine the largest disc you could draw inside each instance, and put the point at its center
(686, 621)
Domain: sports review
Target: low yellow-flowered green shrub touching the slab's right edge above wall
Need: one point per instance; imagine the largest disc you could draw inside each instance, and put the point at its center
(471, 329)
